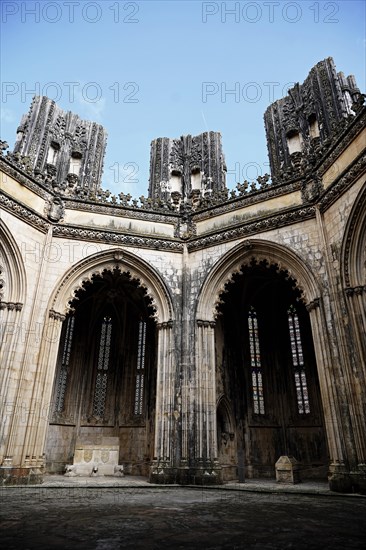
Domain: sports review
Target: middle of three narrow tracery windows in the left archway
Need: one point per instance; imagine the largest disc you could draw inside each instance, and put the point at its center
(101, 381)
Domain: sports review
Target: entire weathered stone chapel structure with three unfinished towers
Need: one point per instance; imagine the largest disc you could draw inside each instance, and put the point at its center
(165, 322)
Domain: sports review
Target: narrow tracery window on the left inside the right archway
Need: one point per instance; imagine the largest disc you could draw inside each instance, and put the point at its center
(255, 363)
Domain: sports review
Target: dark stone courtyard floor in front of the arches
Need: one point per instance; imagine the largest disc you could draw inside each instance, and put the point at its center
(129, 513)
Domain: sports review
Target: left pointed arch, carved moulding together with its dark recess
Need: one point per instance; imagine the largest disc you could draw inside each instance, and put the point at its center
(113, 305)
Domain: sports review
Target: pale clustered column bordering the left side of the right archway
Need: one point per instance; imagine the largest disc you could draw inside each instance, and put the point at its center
(206, 469)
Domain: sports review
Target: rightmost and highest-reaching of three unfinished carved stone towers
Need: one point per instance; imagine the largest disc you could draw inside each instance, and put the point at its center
(301, 124)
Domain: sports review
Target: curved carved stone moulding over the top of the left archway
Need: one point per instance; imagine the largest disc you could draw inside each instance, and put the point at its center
(111, 260)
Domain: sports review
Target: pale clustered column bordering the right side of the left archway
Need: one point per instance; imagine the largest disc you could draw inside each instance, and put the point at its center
(163, 469)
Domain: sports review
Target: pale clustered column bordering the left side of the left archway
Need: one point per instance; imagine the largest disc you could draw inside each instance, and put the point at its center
(24, 459)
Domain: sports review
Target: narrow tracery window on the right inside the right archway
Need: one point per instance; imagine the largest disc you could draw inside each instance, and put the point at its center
(302, 395)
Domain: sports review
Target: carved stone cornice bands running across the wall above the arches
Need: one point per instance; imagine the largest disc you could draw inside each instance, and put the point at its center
(230, 205)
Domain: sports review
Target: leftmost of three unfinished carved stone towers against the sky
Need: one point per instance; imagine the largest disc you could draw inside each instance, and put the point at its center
(65, 149)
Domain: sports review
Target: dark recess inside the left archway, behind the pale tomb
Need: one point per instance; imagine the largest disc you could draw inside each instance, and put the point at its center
(105, 383)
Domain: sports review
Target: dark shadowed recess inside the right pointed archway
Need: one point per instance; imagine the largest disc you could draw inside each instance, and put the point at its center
(266, 368)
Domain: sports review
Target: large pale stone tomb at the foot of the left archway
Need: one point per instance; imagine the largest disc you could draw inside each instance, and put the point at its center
(98, 458)
